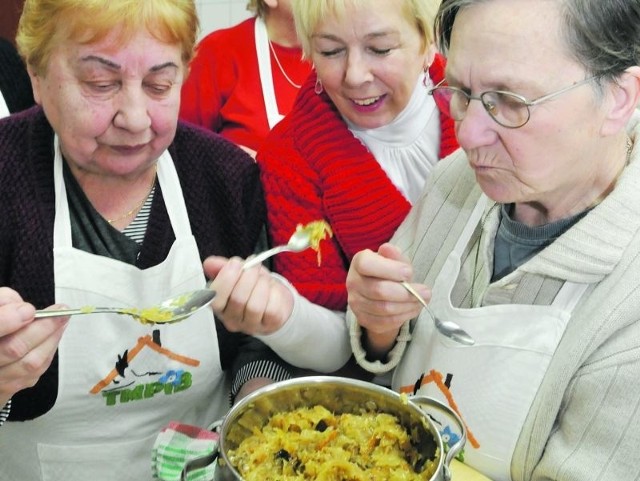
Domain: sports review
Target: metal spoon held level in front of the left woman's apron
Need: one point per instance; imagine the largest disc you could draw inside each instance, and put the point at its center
(171, 310)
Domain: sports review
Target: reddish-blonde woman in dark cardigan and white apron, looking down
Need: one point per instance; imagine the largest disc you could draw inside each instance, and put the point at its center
(107, 201)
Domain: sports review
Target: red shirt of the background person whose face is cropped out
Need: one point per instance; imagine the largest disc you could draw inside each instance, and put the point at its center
(223, 92)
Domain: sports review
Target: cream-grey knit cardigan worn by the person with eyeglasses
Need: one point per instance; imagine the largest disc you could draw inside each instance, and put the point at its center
(584, 423)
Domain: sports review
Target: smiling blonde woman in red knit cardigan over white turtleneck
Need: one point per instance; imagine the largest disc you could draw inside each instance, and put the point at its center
(355, 150)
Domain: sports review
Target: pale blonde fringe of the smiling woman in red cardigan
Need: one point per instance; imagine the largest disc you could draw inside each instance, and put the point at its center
(308, 13)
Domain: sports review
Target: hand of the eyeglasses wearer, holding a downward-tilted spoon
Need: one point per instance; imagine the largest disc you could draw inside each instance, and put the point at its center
(376, 297)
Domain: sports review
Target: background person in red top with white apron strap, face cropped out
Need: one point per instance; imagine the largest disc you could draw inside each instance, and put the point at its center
(244, 79)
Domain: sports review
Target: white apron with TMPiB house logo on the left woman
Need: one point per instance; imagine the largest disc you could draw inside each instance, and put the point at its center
(120, 382)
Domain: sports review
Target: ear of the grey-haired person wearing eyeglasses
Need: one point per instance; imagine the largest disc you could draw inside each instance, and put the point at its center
(624, 99)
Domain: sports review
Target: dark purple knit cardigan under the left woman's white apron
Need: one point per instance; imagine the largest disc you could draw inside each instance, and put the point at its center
(222, 192)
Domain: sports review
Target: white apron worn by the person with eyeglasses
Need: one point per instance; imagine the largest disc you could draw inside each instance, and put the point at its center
(492, 384)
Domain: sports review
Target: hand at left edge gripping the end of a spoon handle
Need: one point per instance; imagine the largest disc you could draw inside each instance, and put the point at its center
(26, 346)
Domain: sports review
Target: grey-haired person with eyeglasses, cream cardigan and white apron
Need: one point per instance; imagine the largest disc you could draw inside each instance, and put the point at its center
(529, 239)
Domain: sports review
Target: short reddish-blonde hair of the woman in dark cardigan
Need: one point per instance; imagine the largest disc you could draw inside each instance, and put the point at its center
(45, 24)
